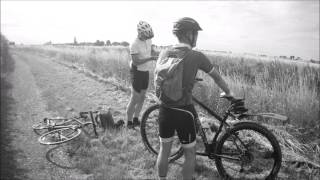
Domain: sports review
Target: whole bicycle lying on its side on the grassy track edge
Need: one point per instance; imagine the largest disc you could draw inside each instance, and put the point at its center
(61, 130)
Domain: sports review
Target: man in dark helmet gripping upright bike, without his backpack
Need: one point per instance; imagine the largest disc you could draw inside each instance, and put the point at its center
(180, 116)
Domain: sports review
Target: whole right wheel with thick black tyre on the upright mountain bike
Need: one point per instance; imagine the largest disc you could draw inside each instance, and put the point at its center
(244, 130)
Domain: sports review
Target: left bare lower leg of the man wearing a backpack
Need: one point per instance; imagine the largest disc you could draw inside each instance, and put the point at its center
(162, 160)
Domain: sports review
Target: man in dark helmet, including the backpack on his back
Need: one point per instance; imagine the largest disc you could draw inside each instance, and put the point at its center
(175, 74)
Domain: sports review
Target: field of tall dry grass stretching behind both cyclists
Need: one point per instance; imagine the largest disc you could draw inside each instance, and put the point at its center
(291, 89)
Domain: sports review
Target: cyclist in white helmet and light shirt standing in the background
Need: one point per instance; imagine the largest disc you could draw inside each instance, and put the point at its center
(140, 51)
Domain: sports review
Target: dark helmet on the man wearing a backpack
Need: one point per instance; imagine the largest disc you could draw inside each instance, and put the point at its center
(185, 24)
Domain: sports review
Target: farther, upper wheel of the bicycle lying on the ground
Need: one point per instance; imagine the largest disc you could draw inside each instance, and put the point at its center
(42, 126)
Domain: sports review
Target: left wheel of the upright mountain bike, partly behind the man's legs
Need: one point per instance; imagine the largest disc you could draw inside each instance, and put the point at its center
(151, 140)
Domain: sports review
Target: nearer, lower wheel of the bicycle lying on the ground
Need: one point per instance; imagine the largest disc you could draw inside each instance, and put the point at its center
(59, 136)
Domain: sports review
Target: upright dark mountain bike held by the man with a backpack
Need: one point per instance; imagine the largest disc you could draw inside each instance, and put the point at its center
(241, 149)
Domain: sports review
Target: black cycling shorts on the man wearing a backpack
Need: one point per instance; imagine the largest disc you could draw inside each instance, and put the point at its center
(180, 119)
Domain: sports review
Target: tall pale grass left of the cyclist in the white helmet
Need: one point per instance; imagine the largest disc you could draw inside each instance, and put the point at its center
(106, 61)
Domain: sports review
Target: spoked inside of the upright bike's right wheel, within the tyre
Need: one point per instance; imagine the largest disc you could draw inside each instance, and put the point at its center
(254, 151)
